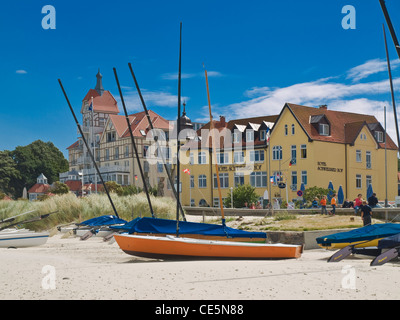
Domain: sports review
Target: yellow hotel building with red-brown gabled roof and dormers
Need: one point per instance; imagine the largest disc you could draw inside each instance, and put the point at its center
(313, 146)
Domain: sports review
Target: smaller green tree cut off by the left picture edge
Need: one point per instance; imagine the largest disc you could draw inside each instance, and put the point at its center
(8, 173)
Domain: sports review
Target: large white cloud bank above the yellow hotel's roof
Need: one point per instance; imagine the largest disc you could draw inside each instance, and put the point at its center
(364, 98)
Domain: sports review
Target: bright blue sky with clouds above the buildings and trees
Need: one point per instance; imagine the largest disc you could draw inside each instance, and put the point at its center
(259, 55)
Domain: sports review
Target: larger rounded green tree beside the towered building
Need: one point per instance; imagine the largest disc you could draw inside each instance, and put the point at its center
(34, 159)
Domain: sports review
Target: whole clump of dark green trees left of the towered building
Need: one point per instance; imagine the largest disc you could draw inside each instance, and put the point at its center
(20, 168)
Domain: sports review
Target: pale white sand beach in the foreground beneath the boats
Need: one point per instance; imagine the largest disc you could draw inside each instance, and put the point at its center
(93, 269)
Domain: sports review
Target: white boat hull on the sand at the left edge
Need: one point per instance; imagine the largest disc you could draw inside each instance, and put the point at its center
(22, 238)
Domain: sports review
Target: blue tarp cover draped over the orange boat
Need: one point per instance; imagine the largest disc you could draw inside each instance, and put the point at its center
(165, 226)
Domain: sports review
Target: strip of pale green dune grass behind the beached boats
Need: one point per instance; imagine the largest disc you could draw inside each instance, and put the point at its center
(72, 209)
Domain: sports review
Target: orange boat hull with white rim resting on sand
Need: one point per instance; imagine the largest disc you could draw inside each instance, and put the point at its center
(172, 247)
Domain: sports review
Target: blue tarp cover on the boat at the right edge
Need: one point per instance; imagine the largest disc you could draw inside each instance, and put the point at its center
(374, 231)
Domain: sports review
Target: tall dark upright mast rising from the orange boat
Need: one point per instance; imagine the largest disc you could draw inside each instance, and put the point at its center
(178, 130)
